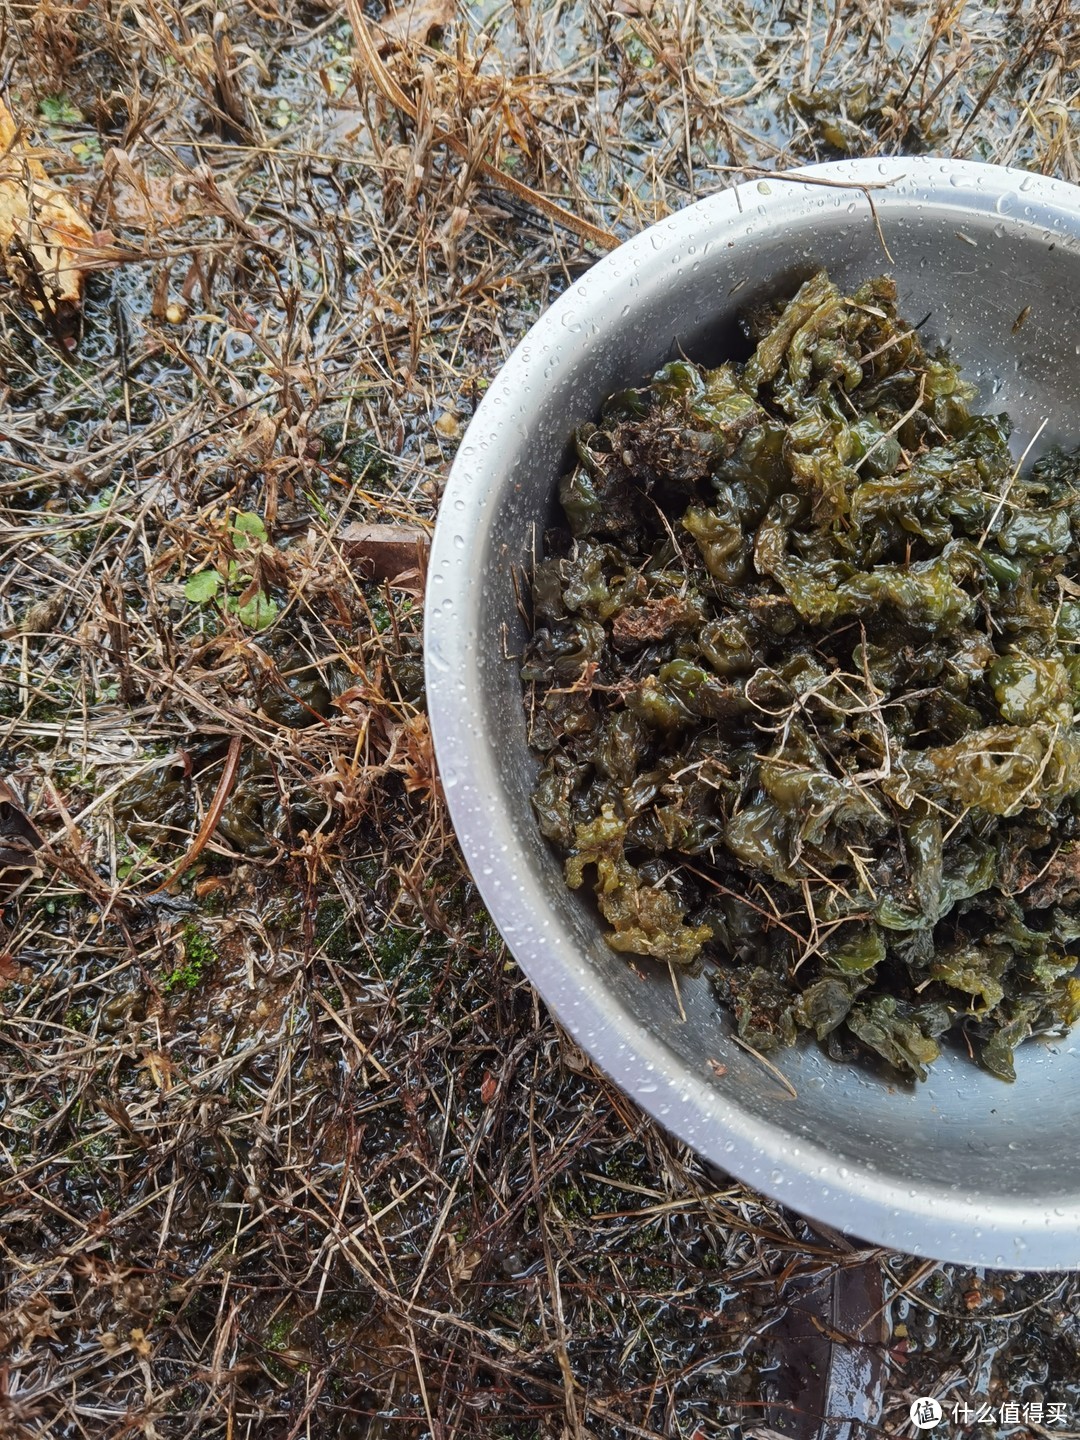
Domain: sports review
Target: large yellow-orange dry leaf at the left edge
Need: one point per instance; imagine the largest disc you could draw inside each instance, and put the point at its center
(47, 244)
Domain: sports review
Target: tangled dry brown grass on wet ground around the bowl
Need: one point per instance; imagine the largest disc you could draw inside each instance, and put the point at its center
(287, 1144)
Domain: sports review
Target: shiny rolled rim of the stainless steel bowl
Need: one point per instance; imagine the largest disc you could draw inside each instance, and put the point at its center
(849, 1196)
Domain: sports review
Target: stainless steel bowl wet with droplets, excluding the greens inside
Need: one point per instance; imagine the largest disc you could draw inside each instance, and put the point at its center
(964, 1167)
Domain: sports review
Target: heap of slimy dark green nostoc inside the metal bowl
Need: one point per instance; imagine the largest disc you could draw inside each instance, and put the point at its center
(804, 672)
